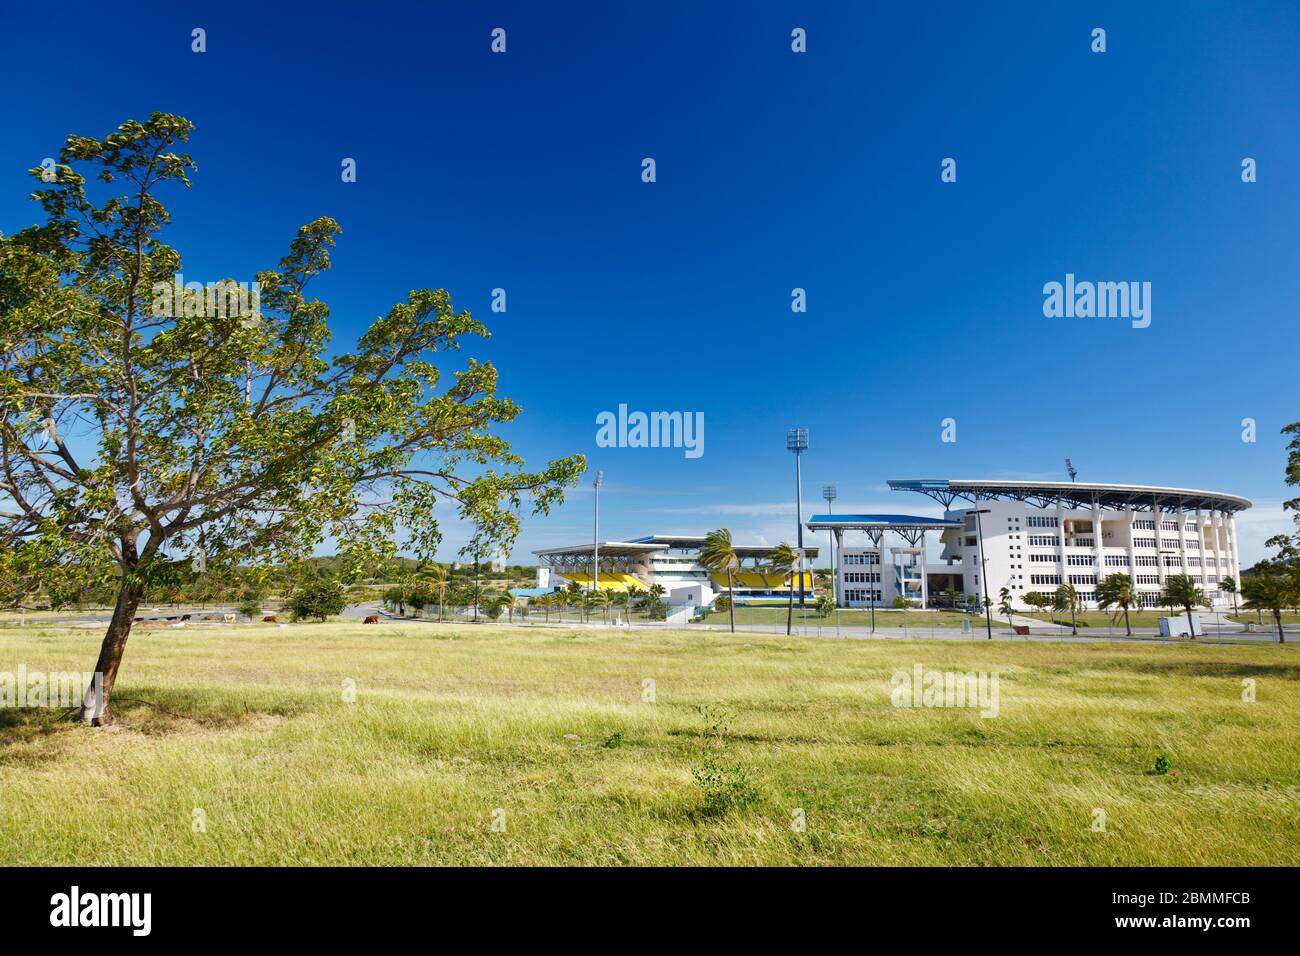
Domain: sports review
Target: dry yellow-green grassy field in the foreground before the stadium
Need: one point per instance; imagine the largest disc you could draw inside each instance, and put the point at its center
(249, 725)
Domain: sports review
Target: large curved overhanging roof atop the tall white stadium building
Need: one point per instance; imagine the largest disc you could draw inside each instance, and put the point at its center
(1072, 494)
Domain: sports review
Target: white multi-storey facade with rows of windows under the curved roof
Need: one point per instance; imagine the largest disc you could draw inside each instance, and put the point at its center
(1028, 548)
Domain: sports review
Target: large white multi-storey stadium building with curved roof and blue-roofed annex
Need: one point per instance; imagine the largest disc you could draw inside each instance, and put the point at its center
(1035, 537)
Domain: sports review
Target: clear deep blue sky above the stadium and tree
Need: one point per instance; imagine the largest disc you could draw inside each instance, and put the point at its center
(775, 171)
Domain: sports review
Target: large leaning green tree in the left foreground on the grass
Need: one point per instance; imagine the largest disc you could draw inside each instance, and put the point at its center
(138, 425)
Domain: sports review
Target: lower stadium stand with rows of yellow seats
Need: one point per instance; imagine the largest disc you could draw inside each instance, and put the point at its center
(673, 563)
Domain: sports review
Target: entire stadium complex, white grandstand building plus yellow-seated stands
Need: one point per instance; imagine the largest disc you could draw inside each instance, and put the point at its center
(1029, 537)
